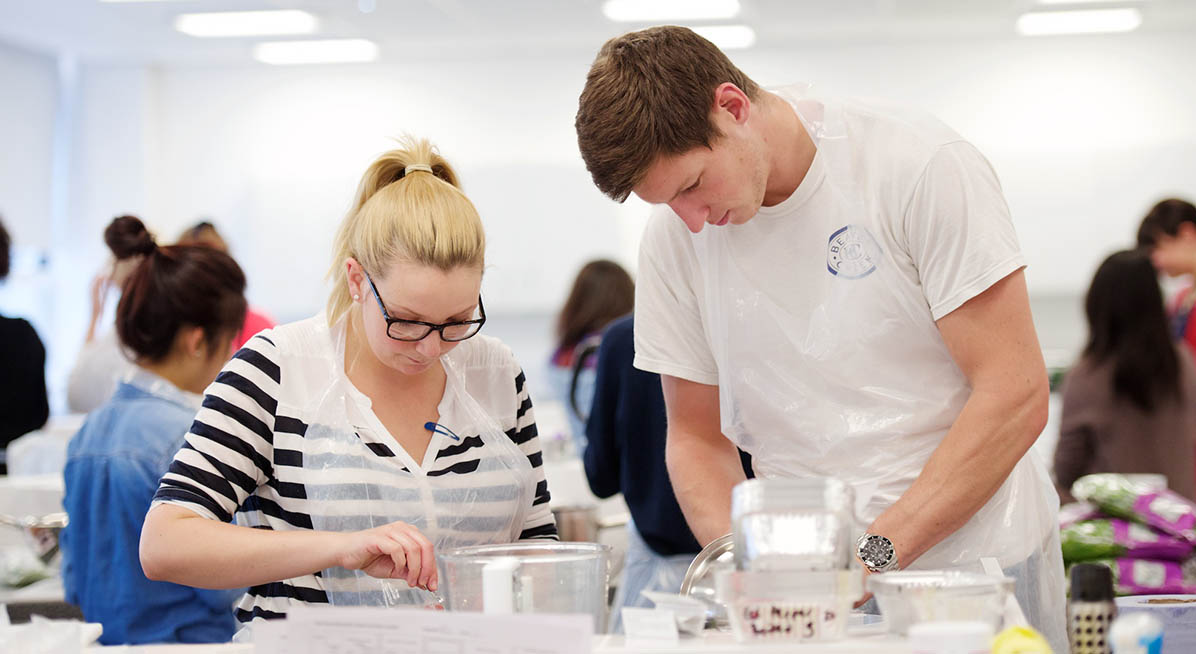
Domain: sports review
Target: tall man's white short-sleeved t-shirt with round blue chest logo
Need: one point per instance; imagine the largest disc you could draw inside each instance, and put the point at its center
(817, 319)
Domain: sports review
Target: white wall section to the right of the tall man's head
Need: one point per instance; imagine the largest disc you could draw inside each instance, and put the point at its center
(1087, 133)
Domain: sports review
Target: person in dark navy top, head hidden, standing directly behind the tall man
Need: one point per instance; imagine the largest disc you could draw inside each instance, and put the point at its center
(626, 454)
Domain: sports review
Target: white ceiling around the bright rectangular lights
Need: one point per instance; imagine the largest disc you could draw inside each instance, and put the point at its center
(142, 33)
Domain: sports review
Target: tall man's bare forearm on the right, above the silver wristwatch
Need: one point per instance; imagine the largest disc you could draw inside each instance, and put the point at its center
(986, 443)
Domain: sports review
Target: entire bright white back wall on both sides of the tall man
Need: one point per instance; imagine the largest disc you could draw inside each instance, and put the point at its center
(1087, 133)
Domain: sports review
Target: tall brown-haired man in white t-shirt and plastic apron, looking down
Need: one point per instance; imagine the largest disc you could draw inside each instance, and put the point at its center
(835, 288)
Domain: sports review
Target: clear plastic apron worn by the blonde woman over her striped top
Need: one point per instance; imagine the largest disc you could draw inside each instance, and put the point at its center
(484, 506)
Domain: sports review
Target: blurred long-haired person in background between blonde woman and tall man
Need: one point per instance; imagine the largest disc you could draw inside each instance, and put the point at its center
(602, 292)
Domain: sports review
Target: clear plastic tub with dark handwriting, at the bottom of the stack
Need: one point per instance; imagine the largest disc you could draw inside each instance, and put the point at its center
(790, 606)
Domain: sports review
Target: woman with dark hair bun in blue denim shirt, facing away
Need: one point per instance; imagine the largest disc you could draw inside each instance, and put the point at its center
(179, 313)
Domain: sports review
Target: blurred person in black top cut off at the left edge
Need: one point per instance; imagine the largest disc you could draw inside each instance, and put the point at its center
(23, 405)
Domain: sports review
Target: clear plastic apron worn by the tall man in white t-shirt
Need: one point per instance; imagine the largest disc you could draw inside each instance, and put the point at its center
(862, 314)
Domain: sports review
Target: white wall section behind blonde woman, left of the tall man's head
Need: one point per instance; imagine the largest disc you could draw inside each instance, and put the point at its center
(274, 157)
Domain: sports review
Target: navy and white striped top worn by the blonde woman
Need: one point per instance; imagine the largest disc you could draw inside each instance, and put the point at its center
(260, 451)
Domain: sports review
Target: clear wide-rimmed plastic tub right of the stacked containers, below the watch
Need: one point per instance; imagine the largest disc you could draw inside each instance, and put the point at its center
(911, 597)
